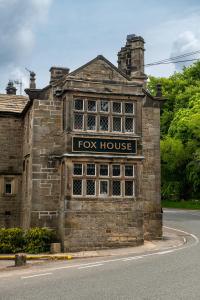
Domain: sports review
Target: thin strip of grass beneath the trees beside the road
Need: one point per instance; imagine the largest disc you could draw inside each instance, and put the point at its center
(187, 204)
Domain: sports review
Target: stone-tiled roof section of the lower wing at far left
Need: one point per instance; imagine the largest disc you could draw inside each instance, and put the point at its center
(13, 103)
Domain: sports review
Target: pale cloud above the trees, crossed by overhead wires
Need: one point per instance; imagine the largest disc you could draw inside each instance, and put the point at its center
(186, 42)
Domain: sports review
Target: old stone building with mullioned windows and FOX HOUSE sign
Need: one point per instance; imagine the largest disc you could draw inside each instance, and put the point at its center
(82, 154)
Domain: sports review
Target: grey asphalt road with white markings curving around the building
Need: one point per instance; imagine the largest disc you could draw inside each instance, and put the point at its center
(169, 275)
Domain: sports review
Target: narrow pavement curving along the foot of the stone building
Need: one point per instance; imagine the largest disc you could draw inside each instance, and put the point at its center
(171, 239)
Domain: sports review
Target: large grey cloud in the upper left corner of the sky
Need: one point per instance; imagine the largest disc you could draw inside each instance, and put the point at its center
(19, 21)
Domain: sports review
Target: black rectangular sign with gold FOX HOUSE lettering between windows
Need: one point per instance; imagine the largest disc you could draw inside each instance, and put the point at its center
(82, 144)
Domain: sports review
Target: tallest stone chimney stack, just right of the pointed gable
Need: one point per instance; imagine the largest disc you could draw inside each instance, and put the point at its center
(131, 57)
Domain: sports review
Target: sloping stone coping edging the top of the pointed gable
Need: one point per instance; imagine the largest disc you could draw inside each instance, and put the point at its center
(96, 60)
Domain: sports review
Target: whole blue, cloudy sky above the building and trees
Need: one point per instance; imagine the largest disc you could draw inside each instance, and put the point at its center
(38, 34)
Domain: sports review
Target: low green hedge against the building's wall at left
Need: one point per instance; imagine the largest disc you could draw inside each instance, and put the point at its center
(34, 240)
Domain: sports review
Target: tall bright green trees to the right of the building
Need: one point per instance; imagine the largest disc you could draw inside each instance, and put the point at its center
(180, 133)
